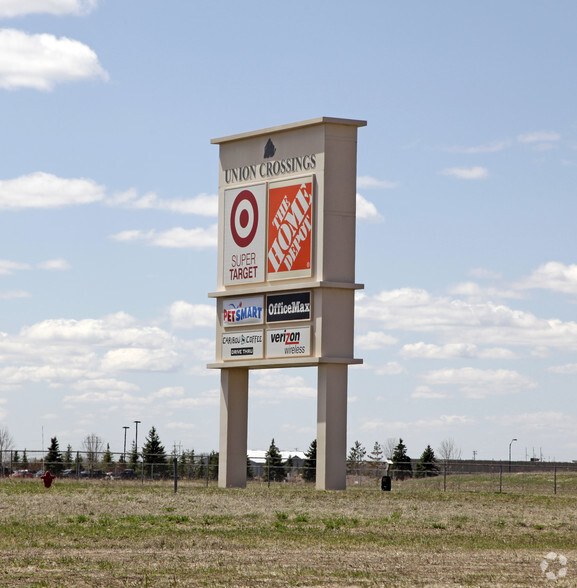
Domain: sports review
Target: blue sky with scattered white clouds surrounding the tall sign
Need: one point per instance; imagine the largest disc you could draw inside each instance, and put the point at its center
(466, 216)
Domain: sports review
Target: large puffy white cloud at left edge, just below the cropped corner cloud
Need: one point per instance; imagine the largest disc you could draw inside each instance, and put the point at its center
(42, 61)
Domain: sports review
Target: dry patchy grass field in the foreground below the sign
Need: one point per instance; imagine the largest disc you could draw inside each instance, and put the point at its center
(129, 534)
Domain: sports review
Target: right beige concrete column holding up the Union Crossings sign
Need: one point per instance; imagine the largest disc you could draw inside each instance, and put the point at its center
(332, 427)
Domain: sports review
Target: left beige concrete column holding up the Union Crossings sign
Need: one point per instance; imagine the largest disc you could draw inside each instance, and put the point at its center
(233, 428)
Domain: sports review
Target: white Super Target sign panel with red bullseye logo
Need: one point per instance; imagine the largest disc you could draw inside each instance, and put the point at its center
(244, 235)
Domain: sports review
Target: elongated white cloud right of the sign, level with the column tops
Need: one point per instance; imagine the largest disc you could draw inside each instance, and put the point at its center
(477, 383)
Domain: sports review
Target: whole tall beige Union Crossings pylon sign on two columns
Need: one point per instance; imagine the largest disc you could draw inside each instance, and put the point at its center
(286, 277)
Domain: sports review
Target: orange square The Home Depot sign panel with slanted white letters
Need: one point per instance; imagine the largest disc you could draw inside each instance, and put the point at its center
(290, 227)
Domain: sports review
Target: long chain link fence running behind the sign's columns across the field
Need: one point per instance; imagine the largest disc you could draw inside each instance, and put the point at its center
(444, 476)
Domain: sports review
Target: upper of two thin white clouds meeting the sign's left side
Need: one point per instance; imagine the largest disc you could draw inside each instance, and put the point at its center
(203, 204)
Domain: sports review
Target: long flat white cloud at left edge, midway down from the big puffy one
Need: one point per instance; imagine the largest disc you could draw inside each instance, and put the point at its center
(43, 190)
